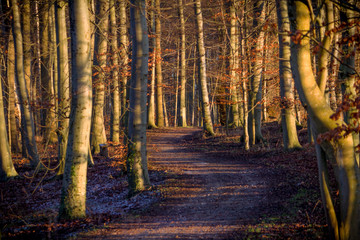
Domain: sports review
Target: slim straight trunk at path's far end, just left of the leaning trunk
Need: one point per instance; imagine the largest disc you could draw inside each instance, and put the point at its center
(182, 120)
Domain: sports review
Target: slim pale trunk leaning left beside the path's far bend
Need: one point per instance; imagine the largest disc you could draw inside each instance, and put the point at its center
(208, 126)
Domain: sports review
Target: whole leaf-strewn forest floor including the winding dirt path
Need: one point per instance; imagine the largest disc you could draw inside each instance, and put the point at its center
(202, 188)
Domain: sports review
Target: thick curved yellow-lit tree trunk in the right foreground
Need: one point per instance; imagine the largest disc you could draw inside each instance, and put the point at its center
(344, 222)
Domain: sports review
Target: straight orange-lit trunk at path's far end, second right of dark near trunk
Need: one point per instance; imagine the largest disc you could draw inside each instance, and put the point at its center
(159, 84)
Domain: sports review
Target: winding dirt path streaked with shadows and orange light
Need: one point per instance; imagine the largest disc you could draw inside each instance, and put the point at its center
(204, 197)
